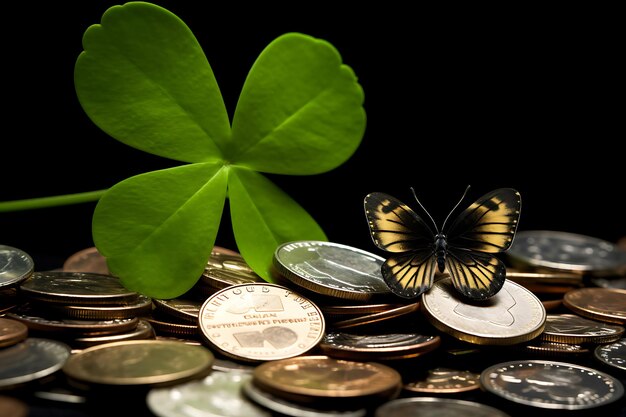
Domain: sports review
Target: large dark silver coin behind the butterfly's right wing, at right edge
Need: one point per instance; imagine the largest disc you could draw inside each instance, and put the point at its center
(566, 251)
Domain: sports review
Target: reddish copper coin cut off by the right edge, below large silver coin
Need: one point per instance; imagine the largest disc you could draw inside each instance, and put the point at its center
(604, 304)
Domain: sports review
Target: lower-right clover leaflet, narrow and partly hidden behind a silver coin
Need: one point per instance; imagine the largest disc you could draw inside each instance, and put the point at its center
(263, 217)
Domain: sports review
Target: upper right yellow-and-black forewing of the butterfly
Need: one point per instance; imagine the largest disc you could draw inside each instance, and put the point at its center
(489, 224)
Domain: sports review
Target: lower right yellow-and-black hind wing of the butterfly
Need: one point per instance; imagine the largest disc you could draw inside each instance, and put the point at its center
(476, 275)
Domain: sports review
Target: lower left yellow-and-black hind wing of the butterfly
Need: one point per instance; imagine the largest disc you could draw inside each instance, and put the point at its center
(410, 274)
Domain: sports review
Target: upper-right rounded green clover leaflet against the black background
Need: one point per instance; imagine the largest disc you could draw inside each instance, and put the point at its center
(300, 110)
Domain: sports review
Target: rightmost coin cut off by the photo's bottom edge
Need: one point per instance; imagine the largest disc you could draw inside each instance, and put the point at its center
(435, 407)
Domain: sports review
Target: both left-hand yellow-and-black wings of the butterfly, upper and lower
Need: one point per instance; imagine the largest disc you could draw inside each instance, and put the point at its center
(396, 228)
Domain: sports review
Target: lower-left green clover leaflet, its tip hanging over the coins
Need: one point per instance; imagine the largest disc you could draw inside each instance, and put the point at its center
(157, 229)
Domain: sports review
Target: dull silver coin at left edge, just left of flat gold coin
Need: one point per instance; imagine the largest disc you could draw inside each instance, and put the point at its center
(31, 359)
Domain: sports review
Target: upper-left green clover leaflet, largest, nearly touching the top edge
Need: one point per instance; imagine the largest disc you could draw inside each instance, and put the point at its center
(144, 79)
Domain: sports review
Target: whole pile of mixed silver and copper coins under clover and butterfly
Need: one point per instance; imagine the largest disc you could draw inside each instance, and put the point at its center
(326, 338)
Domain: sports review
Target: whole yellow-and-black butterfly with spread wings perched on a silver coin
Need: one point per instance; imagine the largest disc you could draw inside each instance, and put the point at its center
(465, 249)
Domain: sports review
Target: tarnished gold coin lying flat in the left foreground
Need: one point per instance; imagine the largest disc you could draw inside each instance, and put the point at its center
(139, 362)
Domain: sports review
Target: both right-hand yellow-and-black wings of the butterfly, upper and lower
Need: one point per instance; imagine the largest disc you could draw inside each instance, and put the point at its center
(486, 227)
